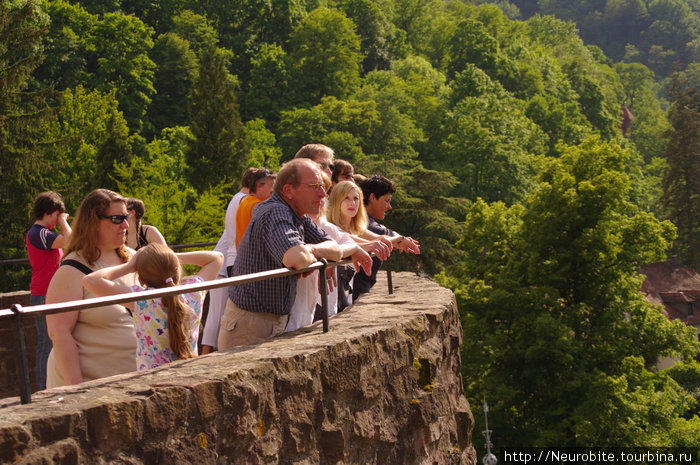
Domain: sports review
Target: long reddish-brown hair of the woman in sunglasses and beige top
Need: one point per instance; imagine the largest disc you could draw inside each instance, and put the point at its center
(84, 238)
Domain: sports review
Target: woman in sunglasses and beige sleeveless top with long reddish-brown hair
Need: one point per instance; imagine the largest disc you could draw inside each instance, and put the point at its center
(96, 342)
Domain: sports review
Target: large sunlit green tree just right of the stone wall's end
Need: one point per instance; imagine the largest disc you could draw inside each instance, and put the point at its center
(559, 337)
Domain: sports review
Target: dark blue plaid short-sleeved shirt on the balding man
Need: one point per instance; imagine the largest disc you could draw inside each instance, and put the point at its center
(274, 229)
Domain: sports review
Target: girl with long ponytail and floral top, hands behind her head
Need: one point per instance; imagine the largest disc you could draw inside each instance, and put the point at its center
(167, 328)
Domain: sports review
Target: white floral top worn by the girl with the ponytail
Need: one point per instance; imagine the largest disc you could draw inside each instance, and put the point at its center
(151, 323)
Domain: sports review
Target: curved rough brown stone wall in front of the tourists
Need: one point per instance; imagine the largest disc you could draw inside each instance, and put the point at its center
(383, 386)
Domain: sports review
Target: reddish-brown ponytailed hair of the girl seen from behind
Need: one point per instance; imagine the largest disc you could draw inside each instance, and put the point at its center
(155, 263)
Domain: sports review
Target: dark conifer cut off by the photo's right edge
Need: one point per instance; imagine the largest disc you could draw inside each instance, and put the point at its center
(681, 186)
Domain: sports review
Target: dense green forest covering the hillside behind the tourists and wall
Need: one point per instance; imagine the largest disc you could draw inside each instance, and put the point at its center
(501, 123)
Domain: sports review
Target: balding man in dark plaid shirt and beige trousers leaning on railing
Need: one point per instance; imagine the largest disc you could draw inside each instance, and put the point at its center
(279, 235)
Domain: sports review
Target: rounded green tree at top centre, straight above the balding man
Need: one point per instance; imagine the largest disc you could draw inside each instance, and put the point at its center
(325, 51)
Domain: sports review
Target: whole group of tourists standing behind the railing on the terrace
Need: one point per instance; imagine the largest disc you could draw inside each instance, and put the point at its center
(314, 208)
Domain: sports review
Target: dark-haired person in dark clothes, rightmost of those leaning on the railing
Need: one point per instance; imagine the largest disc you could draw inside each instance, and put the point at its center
(376, 192)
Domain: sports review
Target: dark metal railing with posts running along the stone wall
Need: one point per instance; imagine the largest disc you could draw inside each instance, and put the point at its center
(19, 313)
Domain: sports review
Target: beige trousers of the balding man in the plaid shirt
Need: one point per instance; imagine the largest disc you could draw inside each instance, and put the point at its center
(240, 327)
